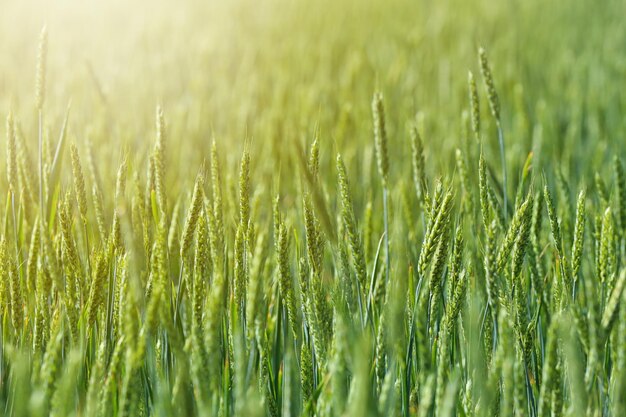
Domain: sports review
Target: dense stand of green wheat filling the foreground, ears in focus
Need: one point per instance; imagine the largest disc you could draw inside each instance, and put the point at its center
(127, 299)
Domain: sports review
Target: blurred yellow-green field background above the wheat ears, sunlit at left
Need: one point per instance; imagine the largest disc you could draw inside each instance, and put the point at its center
(271, 71)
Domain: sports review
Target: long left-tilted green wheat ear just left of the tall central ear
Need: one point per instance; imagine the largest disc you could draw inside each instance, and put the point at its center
(347, 213)
